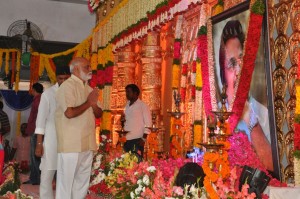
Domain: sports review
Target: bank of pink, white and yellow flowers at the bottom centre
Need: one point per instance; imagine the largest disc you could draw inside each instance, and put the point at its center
(126, 178)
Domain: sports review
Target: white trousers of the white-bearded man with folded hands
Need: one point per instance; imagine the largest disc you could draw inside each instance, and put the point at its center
(73, 175)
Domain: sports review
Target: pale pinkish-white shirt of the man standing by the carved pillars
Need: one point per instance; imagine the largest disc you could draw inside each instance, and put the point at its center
(137, 117)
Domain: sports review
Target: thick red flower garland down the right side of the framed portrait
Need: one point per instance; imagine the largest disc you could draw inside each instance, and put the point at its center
(252, 44)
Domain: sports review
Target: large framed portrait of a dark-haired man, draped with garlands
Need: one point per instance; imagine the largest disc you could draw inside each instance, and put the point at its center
(229, 30)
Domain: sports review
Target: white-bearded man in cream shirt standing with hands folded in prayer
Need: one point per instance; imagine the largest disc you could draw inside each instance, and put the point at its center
(75, 116)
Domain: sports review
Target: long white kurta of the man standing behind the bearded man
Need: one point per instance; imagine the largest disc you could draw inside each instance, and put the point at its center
(45, 125)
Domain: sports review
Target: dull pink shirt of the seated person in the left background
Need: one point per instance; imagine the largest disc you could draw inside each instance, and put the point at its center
(22, 144)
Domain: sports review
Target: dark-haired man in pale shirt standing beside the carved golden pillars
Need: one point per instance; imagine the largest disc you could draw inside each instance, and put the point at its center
(138, 117)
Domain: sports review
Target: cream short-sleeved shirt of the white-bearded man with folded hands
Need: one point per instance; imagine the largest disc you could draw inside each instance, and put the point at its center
(75, 134)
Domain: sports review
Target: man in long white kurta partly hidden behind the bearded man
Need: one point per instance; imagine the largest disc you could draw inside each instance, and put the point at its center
(46, 146)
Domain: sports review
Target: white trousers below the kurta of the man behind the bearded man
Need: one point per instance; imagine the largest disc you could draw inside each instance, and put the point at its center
(46, 191)
